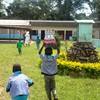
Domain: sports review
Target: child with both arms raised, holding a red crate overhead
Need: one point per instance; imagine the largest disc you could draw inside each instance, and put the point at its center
(49, 69)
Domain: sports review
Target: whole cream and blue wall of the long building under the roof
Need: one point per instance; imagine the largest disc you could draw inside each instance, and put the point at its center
(18, 33)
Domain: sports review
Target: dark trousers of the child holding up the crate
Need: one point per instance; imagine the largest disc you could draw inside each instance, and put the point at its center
(50, 86)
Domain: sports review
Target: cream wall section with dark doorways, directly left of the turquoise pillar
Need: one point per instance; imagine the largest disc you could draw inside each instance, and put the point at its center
(51, 30)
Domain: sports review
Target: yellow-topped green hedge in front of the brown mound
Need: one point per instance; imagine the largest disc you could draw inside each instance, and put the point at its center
(81, 69)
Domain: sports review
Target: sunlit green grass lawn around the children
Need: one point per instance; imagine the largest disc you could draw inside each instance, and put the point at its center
(67, 88)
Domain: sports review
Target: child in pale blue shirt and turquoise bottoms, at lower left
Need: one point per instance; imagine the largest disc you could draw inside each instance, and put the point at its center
(18, 84)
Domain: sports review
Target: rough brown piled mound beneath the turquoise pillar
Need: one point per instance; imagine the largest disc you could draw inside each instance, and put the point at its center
(82, 52)
